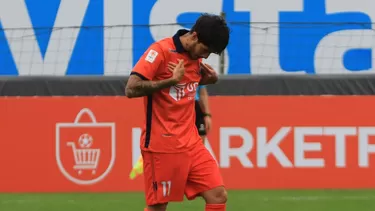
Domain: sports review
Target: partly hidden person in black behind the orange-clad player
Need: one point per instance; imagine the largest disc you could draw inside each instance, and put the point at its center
(202, 111)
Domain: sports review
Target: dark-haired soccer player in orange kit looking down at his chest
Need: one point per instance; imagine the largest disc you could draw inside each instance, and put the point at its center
(175, 160)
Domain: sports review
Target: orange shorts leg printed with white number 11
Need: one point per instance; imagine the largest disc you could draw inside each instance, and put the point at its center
(165, 176)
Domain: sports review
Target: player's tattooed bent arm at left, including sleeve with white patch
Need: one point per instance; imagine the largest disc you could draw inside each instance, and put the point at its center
(141, 81)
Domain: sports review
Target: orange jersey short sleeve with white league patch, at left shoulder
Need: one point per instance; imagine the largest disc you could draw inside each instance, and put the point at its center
(149, 63)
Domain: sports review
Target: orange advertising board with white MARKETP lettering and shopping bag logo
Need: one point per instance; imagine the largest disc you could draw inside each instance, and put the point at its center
(65, 144)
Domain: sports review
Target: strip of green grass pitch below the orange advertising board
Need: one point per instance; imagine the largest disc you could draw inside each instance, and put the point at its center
(285, 200)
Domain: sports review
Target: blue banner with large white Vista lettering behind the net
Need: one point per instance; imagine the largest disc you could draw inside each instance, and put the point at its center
(290, 36)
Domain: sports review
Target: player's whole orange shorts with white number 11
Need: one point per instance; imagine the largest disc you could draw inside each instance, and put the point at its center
(168, 177)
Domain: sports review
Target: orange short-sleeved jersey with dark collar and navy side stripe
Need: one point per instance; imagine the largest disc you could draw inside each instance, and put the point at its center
(170, 113)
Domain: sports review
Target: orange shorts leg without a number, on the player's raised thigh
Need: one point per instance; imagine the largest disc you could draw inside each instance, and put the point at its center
(204, 174)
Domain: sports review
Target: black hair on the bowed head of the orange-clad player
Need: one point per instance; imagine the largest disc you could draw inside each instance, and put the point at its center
(212, 31)
